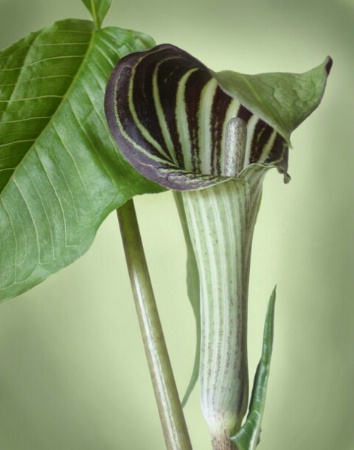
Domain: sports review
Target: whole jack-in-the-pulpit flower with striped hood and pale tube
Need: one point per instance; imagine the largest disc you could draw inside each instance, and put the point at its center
(212, 136)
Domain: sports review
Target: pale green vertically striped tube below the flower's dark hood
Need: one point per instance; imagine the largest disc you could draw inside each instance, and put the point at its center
(221, 221)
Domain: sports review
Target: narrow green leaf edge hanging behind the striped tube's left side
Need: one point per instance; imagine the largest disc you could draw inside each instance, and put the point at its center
(193, 289)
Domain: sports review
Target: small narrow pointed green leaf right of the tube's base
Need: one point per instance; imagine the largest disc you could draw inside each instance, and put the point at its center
(247, 438)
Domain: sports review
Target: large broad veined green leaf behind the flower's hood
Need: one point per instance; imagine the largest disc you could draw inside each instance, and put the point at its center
(60, 171)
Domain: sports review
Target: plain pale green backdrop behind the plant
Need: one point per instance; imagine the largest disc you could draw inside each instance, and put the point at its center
(72, 369)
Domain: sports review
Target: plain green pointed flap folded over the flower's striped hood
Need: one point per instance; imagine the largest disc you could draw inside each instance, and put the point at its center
(283, 100)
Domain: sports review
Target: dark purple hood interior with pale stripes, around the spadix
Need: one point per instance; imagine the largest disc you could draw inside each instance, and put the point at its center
(174, 123)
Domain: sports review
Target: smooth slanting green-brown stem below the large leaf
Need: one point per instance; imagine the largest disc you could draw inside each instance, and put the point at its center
(168, 402)
